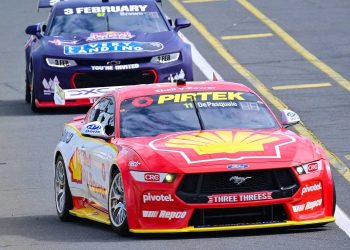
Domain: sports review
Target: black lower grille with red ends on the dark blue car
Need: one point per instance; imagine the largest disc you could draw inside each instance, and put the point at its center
(120, 78)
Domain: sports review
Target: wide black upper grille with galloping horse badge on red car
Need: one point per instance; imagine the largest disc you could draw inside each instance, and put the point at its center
(195, 188)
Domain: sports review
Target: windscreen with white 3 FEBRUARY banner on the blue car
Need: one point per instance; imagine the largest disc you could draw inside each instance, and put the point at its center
(82, 20)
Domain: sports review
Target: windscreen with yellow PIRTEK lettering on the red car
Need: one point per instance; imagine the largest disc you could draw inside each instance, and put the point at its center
(158, 114)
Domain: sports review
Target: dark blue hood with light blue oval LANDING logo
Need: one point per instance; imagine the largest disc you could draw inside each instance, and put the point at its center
(112, 45)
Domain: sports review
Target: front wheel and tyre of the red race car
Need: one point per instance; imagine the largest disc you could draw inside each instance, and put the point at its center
(117, 206)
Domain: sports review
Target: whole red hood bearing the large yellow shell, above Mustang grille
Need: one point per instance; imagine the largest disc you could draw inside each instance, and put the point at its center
(222, 150)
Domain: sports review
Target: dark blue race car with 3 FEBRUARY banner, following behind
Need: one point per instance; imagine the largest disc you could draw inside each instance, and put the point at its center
(96, 43)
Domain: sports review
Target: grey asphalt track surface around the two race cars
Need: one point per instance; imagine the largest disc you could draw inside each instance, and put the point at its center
(27, 213)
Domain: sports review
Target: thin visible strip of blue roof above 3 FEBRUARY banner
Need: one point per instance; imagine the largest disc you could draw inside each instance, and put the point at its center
(83, 3)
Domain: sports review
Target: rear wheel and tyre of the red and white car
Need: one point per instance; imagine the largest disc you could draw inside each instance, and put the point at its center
(63, 196)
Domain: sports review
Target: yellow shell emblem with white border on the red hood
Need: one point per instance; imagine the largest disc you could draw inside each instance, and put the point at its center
(223, 145)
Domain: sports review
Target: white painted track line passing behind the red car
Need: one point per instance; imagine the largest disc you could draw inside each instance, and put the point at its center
(342, 219)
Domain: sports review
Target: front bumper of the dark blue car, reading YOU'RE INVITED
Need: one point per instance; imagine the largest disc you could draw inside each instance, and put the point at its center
(86, 76)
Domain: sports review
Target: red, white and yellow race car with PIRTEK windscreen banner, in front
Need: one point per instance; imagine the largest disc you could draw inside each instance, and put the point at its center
(188, 157)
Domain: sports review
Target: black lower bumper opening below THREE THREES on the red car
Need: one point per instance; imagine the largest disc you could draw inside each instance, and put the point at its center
(238, 216)
